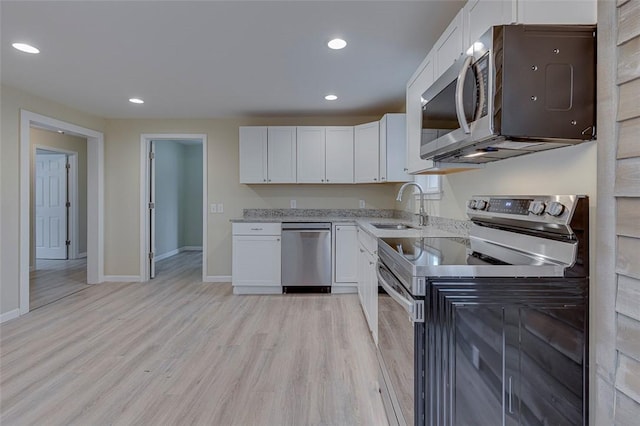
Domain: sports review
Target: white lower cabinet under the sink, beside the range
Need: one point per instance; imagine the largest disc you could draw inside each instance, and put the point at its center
(367, 280)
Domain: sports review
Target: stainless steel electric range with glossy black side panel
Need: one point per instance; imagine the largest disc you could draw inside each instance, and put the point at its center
(490, 329)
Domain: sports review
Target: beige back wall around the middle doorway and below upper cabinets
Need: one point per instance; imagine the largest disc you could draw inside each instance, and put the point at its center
(122, 187)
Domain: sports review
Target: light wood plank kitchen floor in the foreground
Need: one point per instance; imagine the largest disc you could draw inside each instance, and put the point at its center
(179, 351)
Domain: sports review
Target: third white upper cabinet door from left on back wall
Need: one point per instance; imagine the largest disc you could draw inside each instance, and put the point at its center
(311, 154)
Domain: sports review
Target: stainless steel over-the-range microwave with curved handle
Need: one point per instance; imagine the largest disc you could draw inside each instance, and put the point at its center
(518, 89)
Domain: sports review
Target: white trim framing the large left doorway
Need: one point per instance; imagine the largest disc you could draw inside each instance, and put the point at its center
(94, 263)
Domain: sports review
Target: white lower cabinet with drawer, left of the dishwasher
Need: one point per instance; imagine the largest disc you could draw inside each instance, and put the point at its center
(256, 258)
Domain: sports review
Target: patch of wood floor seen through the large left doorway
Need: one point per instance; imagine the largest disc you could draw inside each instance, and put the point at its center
(54, 279)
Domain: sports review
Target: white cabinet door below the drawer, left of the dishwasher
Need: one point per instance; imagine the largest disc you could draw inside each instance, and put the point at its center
(256, 260)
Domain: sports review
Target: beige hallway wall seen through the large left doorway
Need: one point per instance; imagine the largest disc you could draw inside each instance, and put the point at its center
(43, 139)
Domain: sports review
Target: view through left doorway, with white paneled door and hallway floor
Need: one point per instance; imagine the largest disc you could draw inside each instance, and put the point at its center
(58, 265)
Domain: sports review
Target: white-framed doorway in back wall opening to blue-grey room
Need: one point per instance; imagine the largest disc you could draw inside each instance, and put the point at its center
(173, 200)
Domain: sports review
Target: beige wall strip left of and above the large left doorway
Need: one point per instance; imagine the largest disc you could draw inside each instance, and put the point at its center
(12, 100)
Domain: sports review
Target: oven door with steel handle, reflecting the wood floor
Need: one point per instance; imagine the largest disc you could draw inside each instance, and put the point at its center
(401, 350)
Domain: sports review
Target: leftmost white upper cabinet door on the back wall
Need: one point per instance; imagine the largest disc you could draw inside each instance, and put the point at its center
(253, 154)
